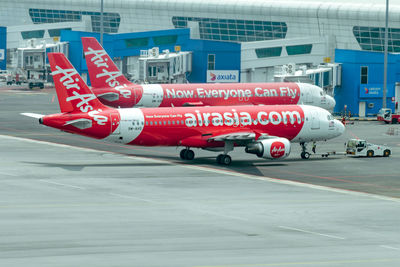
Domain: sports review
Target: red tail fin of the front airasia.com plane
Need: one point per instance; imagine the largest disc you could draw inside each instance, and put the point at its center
(72, 92)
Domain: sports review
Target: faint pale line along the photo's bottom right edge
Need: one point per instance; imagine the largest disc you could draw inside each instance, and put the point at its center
(307, 263)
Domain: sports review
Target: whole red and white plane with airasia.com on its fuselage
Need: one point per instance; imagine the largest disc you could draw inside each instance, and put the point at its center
(263, 130)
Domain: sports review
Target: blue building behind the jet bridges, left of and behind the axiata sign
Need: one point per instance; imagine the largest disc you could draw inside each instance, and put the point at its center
(226, 55)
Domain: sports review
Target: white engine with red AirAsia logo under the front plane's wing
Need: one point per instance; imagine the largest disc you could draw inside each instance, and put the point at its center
(276, 148)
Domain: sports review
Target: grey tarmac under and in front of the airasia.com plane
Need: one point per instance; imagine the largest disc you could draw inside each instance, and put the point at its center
(67, 200)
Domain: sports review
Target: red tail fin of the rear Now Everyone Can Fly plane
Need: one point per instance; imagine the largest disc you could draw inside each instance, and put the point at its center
(102, 70)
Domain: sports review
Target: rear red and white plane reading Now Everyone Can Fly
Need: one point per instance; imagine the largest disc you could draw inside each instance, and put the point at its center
(113, 89)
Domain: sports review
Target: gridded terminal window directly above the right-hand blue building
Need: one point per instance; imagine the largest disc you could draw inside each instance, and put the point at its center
(373, 38)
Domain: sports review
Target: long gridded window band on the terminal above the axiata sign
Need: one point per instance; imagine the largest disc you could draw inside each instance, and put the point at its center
(234, 30)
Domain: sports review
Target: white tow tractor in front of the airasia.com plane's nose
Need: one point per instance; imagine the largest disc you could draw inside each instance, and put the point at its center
(360, 148)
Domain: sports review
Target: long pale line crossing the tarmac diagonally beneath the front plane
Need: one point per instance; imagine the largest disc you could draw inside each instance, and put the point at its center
(218, 171)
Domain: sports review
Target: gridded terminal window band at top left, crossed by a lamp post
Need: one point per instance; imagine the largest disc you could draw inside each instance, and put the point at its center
(110, 20)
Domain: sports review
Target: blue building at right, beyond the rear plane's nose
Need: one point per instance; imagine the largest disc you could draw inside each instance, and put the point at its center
(361, 90)
